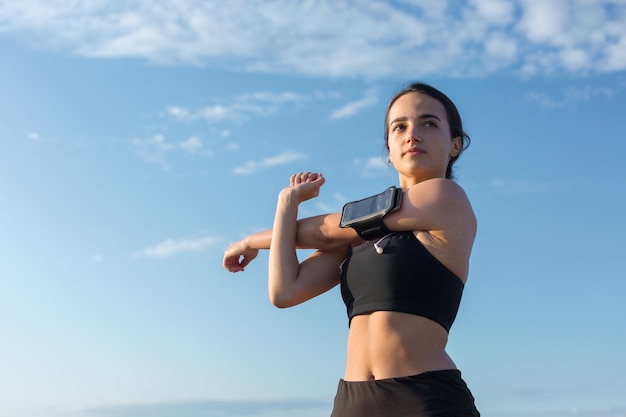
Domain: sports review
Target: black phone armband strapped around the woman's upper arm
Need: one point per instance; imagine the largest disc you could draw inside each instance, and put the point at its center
(366, 215)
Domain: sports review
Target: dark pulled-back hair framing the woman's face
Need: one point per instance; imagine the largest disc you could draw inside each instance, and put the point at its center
(452, 113)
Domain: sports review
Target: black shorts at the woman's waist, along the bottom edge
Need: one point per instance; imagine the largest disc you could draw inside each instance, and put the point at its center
(430, 394)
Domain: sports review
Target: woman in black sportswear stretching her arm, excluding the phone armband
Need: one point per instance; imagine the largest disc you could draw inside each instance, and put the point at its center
(402, 289)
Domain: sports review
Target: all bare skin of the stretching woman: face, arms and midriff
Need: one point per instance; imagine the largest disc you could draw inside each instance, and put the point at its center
(381, 344)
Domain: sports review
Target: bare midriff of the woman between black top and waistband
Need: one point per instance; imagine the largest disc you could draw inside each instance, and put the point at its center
(387, 344)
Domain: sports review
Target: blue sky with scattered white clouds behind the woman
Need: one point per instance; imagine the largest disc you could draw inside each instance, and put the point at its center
(140, 139)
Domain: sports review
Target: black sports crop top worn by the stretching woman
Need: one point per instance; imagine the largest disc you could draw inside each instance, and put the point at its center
(404, 277)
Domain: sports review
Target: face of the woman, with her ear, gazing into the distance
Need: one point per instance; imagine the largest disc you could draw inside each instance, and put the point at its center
(419, 141)
